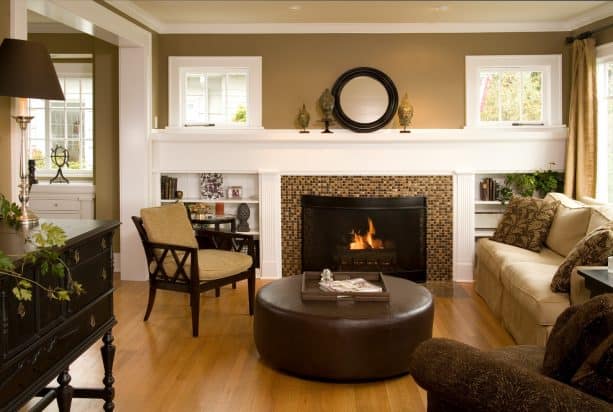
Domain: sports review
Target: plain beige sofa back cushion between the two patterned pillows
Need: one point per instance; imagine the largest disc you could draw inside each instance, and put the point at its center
(568, 228)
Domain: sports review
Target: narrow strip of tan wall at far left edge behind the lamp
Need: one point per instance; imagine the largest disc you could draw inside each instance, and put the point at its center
(5, 114)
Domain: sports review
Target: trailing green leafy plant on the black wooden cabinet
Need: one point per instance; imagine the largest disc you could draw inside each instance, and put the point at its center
(44, 256)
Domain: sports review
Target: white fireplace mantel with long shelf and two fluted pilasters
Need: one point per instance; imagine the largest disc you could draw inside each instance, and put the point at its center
(461, 153)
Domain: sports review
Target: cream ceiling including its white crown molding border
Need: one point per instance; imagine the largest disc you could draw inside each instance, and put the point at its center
(195, 16)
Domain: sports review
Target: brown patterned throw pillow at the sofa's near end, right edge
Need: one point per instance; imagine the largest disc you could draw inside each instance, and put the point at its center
(592, 250)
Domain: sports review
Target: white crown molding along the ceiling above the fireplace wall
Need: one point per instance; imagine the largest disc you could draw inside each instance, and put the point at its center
(136, 12)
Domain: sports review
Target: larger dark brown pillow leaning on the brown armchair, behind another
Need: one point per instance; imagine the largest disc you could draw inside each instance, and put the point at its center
(578, 331)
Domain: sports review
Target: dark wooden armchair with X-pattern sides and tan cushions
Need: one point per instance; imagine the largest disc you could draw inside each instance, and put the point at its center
(180, 261)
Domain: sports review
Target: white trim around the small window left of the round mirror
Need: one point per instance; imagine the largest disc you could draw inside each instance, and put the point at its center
(179, 64)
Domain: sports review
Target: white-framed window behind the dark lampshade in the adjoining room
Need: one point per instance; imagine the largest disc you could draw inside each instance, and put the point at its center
(67, 123)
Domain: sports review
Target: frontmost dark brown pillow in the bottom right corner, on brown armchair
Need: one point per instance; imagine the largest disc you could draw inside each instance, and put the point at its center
(595, 376)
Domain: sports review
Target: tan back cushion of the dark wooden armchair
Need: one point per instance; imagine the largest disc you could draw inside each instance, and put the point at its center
(169, 224)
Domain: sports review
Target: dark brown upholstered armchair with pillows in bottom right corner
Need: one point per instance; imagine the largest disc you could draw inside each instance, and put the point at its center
(573, 373)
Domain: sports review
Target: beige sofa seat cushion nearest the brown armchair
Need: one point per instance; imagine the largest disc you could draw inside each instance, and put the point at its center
(527, 283)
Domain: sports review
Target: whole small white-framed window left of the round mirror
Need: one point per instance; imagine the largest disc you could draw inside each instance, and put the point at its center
(215, 92)
